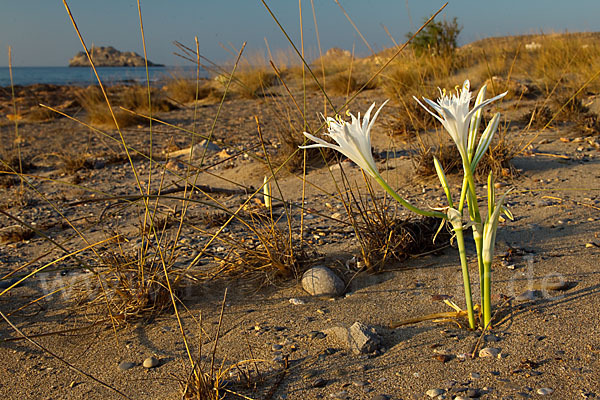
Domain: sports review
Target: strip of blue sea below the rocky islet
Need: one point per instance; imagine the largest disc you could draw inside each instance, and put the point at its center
(84, 76)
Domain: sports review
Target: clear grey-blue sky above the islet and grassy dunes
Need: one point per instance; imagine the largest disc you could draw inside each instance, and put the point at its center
(41, 34)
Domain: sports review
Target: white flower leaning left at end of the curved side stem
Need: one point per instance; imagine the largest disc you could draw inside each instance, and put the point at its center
(353, 139)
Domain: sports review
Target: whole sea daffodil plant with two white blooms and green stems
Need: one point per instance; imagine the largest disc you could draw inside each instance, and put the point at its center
(353, 139)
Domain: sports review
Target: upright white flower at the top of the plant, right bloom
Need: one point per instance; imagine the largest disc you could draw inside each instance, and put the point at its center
(455, 116)
